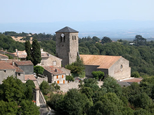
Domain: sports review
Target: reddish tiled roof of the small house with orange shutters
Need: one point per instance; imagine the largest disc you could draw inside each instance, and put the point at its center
(53, 70)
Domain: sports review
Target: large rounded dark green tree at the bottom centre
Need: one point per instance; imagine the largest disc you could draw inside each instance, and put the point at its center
(74, 103)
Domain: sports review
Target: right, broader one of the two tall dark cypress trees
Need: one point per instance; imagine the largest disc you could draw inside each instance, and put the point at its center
(36, 53)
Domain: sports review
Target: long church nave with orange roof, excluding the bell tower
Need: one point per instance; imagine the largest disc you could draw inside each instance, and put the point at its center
(114, 66)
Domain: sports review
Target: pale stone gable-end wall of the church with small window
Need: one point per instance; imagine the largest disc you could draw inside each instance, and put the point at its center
(120, 69)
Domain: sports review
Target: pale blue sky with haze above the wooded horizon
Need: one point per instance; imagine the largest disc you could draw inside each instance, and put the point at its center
(19, 15)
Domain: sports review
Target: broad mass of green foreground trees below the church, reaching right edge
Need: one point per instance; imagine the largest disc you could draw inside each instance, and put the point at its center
(110, 99)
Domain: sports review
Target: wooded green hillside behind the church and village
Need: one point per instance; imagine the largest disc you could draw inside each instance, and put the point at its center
(141, 57)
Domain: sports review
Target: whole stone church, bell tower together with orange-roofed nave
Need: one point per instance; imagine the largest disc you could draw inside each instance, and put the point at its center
(67, 49)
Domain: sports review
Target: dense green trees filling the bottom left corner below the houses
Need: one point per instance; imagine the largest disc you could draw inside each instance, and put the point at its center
(16, 97)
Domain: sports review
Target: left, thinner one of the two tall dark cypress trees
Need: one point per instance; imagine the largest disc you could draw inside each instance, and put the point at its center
(28, 51)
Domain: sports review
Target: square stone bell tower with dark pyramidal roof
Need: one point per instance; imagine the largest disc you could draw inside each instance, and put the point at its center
(67, 45)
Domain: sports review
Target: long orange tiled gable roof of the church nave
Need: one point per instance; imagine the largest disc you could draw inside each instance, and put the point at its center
(103, 61)
